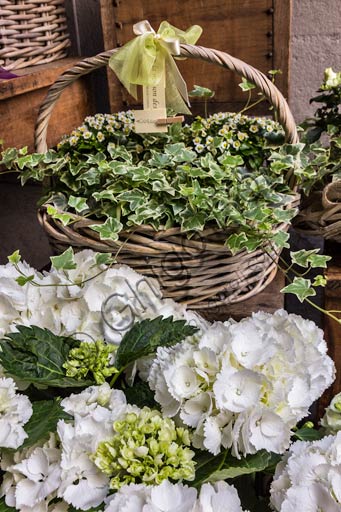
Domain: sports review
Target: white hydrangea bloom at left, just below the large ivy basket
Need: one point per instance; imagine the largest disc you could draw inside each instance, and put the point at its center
(68, 302)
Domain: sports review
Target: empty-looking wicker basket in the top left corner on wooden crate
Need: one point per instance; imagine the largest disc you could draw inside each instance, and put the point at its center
(32, 32)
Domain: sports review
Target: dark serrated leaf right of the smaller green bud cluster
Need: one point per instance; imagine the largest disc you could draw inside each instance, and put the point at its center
(146, 336)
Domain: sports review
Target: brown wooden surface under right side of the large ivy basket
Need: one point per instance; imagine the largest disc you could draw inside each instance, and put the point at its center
(269, 300)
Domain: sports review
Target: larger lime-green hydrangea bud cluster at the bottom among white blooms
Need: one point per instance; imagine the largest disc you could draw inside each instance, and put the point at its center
(146, 448)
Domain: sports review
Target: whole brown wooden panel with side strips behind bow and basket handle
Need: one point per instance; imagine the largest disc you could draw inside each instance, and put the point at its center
(256, 31)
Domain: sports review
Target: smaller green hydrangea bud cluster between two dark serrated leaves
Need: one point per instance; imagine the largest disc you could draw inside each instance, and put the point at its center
(92, 358)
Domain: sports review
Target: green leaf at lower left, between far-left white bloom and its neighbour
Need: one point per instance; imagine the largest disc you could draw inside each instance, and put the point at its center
(44, 419)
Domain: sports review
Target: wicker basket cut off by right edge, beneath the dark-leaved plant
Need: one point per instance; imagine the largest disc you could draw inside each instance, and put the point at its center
(320, 214)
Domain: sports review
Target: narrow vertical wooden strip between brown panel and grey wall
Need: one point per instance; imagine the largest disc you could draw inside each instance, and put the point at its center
(281, 43)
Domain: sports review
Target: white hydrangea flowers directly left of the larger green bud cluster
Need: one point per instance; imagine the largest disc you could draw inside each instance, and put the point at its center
(61, 467)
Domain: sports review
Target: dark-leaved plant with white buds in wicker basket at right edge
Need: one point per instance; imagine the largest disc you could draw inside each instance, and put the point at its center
(320, 211)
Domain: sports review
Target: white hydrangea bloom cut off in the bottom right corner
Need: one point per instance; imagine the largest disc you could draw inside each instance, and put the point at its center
(309, 477)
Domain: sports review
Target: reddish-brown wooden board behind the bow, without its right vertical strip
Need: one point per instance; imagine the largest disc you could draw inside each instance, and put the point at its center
(243, 29)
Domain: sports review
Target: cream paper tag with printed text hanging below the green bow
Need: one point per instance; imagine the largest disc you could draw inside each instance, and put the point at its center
(154, 108)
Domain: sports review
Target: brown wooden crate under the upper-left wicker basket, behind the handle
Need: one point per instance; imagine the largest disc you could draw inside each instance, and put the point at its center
(21, 97)
